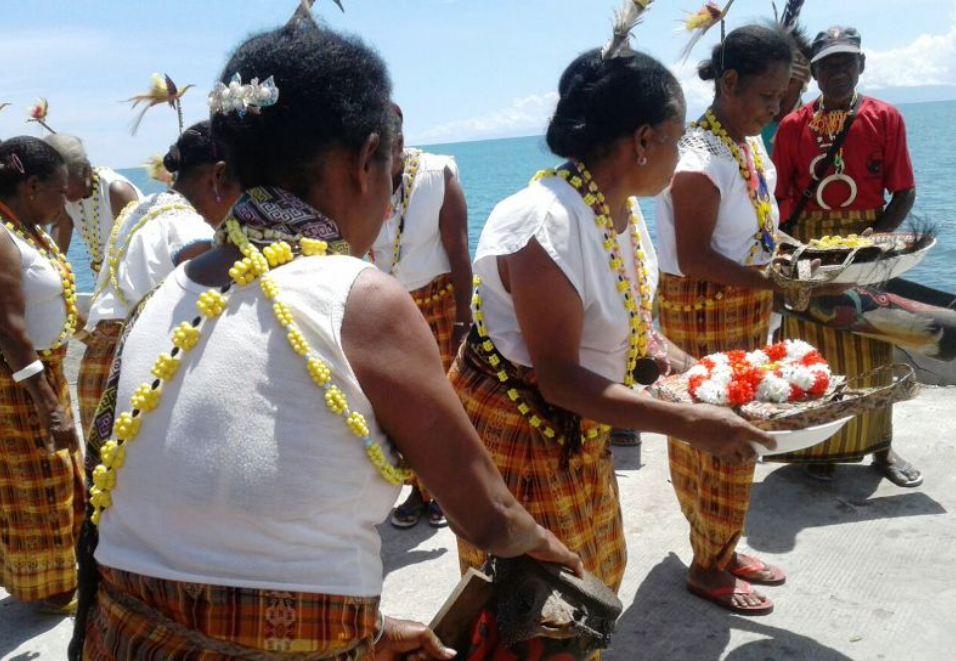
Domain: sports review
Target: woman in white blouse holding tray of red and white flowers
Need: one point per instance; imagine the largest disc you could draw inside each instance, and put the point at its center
(562, 311)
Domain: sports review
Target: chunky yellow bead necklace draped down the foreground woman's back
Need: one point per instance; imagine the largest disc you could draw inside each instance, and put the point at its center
(255, 264)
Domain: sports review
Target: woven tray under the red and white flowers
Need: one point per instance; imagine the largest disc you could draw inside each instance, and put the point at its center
(846, 397)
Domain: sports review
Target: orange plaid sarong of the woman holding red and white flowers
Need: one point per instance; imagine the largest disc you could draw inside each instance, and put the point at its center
(574, 495)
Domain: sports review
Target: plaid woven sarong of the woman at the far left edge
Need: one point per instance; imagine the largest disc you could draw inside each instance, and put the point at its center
(41, 495)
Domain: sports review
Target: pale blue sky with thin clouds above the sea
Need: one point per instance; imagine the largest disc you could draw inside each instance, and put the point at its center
(462, 69)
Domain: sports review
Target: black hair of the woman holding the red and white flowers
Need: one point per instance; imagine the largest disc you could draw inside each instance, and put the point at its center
(601, 101)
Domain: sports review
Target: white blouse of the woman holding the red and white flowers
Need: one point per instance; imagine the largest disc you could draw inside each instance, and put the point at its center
(553, 213)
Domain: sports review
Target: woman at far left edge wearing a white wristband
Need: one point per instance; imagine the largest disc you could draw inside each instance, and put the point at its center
(42, 500)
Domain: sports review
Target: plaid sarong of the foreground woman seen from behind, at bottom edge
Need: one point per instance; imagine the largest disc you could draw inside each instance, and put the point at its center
(139, 617)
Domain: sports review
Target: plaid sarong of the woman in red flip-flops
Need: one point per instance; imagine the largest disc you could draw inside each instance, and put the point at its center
(702, 318)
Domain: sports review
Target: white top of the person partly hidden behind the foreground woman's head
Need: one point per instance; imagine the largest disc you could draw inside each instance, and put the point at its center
(423, 256)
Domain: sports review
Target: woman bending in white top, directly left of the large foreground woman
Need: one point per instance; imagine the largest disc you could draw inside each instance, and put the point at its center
(149, 239)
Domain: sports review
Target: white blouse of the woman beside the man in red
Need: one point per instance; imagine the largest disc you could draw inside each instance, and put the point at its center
(737, 222)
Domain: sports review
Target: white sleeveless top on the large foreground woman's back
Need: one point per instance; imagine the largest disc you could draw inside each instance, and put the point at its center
(242, 476)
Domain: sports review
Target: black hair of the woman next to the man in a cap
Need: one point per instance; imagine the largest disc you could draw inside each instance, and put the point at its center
(749, 50)
